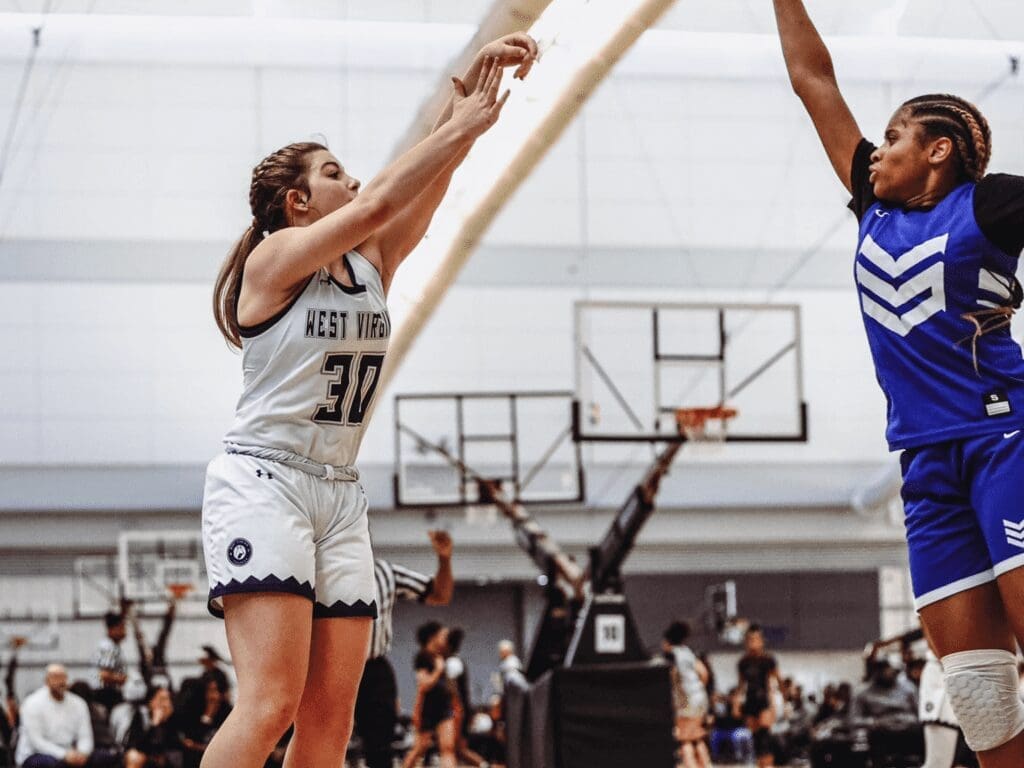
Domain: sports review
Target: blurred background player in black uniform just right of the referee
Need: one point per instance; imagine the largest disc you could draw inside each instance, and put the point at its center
(434, 714)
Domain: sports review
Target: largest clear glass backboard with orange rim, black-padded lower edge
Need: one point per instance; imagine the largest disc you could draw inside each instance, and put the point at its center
(638, 363)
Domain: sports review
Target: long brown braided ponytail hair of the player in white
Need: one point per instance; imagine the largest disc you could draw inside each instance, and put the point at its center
(276, 175)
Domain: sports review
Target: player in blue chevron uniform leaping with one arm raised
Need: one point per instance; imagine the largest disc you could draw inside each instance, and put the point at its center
(936, 257)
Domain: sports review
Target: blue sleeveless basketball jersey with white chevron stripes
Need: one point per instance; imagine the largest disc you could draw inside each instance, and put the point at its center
(918, 274)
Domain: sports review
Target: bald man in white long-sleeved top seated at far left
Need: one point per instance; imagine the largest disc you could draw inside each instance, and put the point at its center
(56, 728)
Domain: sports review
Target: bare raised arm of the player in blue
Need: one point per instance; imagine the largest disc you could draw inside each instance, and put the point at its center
(814, 79)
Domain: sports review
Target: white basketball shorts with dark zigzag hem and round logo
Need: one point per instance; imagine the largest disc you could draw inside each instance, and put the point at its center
(270, 528)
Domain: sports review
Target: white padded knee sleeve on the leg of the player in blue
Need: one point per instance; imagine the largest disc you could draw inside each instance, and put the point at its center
(983, 690)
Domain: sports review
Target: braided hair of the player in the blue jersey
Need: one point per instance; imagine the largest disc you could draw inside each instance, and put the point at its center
(960, 121)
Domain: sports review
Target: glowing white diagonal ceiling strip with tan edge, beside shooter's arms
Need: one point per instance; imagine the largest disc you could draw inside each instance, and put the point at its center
(580, 41)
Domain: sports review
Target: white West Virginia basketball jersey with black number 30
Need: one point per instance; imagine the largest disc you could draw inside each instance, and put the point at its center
(310, 374)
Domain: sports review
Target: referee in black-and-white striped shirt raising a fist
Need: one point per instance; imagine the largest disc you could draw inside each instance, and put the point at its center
(377, 704)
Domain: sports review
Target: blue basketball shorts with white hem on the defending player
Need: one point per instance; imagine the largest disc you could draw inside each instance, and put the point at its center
(964, 503)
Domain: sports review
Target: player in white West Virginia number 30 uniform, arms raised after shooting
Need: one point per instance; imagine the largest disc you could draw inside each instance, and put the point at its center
(285, 525)
